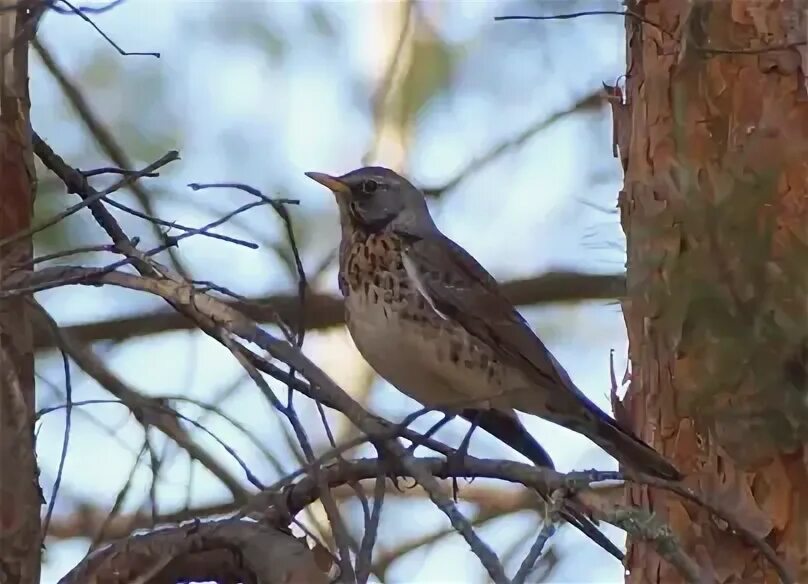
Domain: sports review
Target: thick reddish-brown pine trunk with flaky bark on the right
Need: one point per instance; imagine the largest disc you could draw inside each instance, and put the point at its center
(715, 209)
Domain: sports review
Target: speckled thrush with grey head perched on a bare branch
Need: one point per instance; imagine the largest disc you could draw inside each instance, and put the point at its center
(434, 323)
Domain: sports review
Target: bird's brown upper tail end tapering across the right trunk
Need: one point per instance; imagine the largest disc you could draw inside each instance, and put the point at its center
(622, 444)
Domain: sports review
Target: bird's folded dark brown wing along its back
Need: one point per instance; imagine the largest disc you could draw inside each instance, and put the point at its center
(462, 290)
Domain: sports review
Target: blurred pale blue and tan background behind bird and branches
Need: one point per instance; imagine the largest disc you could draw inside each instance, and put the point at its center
(501, 121)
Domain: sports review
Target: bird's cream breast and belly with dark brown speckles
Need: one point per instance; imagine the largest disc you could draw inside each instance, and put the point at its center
(426, 356)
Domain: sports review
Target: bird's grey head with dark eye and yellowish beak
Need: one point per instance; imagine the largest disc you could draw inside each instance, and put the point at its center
(373, 197)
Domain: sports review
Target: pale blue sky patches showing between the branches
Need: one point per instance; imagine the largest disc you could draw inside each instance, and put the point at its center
(240, 113)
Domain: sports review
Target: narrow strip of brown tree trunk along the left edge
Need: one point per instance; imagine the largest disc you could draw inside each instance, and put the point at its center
(19, 486)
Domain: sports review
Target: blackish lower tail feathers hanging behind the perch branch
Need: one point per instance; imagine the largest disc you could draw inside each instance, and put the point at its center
(510, 430)
